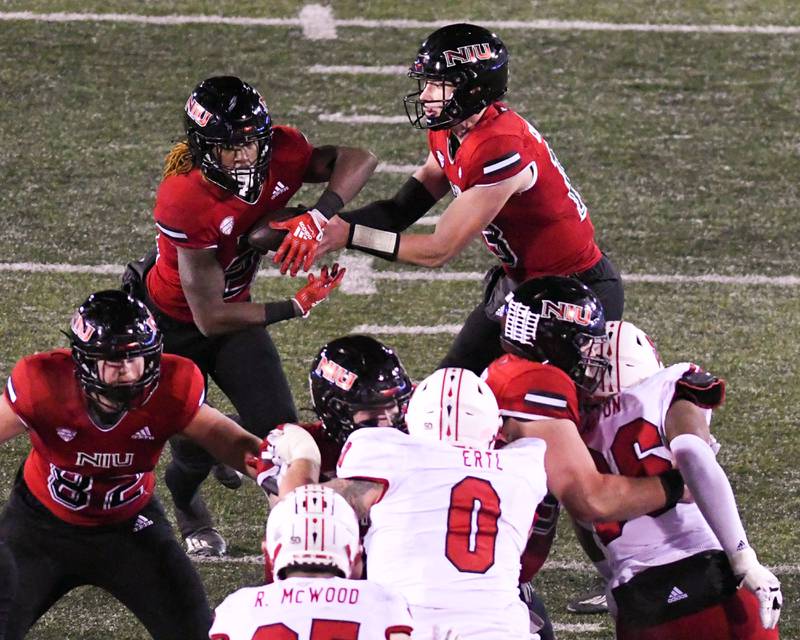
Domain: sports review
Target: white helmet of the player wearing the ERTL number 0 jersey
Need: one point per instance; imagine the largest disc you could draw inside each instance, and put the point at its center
(454, 405)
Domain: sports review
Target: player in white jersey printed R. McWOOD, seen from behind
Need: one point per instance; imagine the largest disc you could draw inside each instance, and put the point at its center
(312, 551)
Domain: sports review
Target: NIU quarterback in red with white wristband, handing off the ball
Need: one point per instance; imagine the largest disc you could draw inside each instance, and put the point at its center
(508, 185)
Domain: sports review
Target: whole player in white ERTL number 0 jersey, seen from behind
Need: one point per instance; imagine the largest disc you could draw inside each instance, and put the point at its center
(429, 538)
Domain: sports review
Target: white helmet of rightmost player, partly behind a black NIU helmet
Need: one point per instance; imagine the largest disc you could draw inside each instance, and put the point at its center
(633, 357)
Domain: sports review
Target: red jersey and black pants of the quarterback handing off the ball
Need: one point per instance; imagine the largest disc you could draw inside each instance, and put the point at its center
(544, 230)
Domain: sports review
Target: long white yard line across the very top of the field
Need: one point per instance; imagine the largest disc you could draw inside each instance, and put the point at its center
(551, 25)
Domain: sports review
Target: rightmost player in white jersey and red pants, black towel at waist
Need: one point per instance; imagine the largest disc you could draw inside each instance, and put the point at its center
(689, 566)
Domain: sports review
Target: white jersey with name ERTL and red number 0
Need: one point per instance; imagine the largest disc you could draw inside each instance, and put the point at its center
(450, 527)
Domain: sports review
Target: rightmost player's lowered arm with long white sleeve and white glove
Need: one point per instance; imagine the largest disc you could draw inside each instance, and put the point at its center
(689, 439)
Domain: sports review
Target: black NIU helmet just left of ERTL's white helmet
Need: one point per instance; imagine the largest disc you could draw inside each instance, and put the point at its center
(354, 373)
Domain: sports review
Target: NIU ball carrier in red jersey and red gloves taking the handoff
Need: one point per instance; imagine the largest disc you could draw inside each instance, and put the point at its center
(234, 169)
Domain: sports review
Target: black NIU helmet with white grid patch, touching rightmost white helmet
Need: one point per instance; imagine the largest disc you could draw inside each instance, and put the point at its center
(559, 321)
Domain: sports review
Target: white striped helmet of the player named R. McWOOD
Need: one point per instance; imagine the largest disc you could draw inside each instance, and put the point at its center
(312, 526)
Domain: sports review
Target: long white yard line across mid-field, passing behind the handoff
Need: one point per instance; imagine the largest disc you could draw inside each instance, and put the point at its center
(427, 275)
